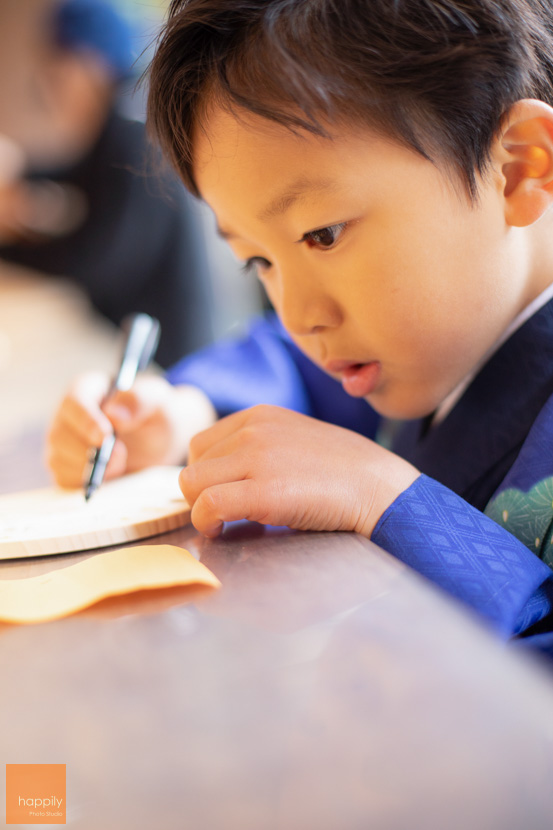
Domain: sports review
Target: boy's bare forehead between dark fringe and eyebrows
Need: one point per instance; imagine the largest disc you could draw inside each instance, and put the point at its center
(245, 153)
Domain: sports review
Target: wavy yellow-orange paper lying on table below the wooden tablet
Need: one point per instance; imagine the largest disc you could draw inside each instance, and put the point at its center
(67, 590)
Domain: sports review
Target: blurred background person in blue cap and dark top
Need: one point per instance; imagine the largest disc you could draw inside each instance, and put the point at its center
(110, 218)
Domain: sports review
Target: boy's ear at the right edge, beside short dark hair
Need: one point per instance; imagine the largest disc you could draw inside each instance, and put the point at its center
(525, 154)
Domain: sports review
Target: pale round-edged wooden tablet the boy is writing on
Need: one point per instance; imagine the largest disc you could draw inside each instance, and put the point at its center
(56, 520)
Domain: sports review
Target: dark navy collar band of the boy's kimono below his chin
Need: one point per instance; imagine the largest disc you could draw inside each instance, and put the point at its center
(472, 449)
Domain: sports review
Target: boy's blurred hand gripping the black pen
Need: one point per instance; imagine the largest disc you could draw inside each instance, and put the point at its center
(154, 422)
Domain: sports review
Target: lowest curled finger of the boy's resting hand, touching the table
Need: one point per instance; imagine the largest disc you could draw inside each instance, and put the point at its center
(226, 502)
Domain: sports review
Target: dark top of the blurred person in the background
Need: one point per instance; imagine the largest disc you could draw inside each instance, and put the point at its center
(139, 248)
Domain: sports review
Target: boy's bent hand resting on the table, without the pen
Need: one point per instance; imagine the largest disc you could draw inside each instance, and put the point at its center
(274, 466)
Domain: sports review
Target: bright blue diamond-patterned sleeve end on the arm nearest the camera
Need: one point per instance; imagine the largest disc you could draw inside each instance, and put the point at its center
(470, 556)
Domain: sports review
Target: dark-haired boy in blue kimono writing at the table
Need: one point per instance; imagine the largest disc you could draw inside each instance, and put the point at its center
(386, 170)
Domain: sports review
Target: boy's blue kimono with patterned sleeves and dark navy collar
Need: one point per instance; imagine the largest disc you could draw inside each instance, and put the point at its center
(479, 520)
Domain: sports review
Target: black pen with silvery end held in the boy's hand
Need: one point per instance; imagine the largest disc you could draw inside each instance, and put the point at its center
(142, 338)
